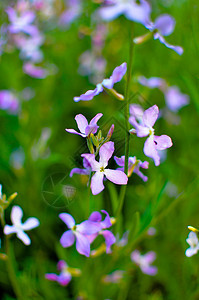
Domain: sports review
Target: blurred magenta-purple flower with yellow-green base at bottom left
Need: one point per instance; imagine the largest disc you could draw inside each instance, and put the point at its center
(65, 273)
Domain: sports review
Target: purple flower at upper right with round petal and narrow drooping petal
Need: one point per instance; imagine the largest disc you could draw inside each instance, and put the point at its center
(164, 26)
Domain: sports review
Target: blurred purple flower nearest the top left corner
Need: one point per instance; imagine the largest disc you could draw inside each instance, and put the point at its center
(22, 23)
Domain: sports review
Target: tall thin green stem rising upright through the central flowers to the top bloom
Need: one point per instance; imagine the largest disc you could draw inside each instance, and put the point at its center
(127, 125)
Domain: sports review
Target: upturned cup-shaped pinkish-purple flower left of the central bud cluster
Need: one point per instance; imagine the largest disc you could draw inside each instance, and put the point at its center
(85, 128)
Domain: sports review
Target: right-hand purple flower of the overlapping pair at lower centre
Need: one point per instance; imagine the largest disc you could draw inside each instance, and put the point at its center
(106, 223)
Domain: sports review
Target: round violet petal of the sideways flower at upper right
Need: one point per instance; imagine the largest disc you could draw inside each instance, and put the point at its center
(165, 24)
